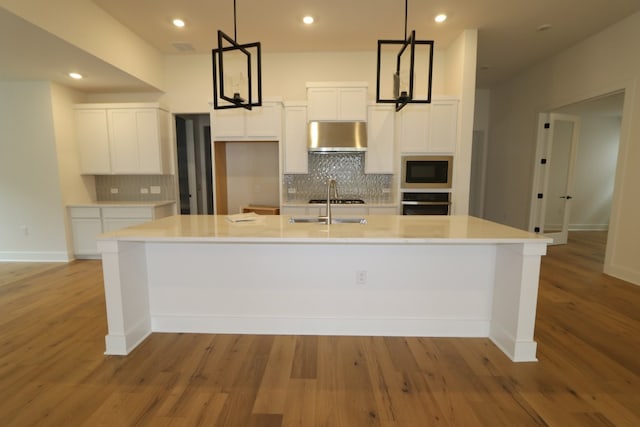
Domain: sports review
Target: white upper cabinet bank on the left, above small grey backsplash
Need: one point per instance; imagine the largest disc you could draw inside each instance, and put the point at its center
(123, 139)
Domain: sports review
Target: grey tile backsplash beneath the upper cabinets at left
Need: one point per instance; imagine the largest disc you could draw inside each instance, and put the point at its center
(130, 188)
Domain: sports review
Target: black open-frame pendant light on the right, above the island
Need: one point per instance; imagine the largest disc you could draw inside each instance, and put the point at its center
(398, 87)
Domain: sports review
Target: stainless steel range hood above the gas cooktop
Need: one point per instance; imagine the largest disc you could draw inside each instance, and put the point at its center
(337, 136)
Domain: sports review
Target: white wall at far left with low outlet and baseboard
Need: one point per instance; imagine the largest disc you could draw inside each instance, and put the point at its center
(32, 215)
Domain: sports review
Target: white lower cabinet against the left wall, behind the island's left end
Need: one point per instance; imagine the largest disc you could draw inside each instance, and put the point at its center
(89, 221)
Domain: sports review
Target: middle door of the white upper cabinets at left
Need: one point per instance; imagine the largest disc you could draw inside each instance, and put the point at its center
(124, 141)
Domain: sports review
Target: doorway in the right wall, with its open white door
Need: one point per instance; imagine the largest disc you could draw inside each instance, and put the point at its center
(588, 199)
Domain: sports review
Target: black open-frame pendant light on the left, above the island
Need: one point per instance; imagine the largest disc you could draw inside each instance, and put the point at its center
(234, 68)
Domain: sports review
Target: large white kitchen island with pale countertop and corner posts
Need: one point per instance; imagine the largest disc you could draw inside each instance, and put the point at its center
(431, 276)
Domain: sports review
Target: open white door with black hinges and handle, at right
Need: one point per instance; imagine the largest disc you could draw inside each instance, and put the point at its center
(556, 164)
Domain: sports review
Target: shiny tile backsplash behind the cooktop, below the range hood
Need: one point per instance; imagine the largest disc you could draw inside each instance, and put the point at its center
(347, 169)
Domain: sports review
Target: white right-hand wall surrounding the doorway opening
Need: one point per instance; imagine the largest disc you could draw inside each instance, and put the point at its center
(602, 64)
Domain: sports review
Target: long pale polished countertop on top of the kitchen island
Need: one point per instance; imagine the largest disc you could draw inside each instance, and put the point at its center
(379, 229)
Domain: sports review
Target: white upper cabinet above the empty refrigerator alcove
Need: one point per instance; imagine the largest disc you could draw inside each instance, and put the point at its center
(238, 124)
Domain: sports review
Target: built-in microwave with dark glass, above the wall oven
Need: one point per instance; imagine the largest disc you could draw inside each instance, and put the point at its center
(426, 172)
